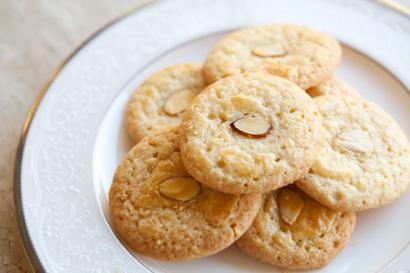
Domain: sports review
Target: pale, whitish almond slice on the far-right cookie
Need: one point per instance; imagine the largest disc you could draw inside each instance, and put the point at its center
(355, 140)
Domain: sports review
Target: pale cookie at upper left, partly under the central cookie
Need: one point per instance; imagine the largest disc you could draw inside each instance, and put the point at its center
(162, 98)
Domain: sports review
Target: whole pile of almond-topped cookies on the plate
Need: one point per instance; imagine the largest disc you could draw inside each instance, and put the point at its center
(261, 146)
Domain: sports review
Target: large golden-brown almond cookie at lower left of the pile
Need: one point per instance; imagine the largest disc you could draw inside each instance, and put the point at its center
(162, 212)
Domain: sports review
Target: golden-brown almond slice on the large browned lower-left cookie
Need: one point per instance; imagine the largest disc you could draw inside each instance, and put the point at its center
(180, 188)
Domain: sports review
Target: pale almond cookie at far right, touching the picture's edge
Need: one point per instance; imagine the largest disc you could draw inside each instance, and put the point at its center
(365, 161)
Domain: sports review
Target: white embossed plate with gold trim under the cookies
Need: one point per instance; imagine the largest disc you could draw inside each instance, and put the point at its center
(75, 139)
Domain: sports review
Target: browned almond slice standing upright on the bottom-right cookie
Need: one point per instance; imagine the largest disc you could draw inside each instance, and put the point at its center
(290, 205)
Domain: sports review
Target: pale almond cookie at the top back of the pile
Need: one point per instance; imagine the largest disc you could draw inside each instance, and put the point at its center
(297, 53)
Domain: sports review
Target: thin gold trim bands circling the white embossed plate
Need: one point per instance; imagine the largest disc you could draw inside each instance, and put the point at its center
(22, 227)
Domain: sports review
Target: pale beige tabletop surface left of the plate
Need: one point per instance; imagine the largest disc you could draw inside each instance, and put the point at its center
(35, 36)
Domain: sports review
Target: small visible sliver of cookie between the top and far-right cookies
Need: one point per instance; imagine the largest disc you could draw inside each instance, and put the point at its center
(332, 86)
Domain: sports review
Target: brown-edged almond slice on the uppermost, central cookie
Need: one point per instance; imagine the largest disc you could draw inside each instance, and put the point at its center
(252, 126)
